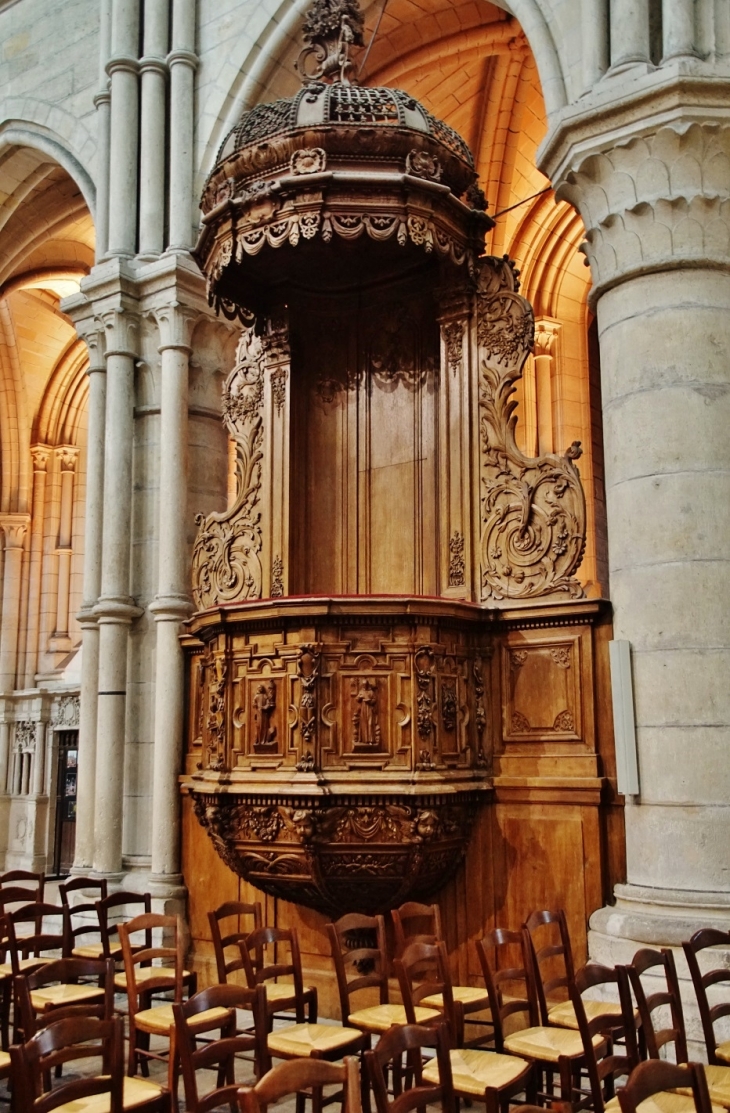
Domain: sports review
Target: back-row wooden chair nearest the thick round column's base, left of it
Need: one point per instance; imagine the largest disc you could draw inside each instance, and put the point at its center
(553, 962)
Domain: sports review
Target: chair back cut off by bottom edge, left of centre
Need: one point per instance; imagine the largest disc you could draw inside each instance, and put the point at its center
(300, 1076)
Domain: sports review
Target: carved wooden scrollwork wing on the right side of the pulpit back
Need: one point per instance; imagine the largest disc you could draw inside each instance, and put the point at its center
(534, 511)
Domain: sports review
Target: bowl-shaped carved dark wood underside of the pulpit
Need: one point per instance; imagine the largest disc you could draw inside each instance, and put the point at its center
(354, 854)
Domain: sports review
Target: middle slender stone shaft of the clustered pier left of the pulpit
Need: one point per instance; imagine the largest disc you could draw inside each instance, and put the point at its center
(115, 610)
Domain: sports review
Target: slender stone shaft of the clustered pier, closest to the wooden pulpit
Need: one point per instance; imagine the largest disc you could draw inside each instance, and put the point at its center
(172, 605)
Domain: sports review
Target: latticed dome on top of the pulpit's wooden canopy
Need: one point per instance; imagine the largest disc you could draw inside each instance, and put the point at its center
(341, 105)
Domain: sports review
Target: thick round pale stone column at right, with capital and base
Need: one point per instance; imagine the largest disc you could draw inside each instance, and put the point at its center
(660, 259)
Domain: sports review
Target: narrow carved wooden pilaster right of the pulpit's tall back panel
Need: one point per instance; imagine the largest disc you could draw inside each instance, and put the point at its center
(455, 422)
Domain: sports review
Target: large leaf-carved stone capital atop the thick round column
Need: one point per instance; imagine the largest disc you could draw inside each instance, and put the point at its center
(650, 176)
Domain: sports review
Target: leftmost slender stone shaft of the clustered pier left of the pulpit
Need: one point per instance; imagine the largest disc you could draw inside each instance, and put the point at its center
(86, 775)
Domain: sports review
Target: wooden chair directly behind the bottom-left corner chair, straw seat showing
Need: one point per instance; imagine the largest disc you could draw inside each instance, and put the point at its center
(56, 987)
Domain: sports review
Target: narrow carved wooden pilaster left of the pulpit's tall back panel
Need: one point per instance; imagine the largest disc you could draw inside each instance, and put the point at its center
(275, 485)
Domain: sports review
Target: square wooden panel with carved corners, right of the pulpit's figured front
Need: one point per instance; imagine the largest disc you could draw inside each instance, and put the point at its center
(541, 684)
